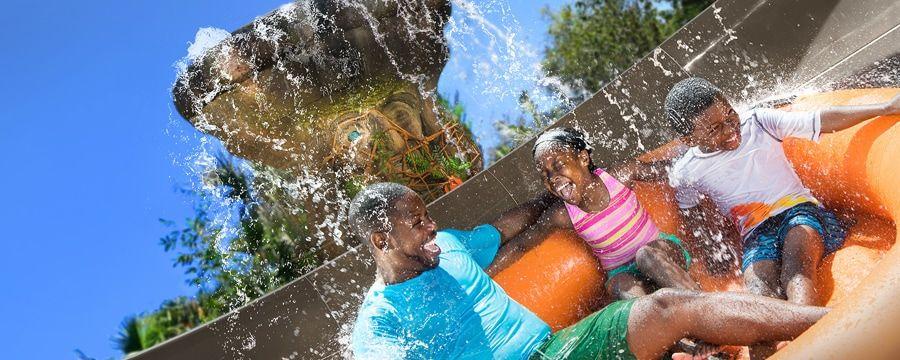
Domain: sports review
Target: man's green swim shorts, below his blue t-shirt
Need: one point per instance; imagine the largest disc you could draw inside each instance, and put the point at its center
(602, 335)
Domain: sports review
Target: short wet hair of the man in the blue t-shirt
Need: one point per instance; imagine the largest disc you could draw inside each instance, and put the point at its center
(370, 208)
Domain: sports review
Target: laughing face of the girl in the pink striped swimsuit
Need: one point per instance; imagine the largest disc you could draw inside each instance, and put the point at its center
(565, 172)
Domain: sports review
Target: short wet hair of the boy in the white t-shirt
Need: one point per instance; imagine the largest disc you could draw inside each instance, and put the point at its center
(687, 99)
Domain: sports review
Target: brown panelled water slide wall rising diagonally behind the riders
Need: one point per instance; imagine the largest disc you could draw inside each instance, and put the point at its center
(751, 49)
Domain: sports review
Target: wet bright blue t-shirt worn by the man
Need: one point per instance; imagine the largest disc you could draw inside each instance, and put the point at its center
(452, 311)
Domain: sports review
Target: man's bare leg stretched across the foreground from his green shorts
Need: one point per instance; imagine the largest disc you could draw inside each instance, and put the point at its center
(659, 320)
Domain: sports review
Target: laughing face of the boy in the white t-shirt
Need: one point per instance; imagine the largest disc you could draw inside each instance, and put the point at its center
(716, 128)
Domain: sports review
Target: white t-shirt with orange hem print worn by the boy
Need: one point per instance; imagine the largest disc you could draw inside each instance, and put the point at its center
(754, 181)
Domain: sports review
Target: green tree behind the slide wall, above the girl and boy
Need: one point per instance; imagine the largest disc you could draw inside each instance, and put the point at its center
(591, 42)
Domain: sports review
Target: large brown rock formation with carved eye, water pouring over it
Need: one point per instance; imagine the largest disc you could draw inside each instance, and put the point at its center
(325, 84)
